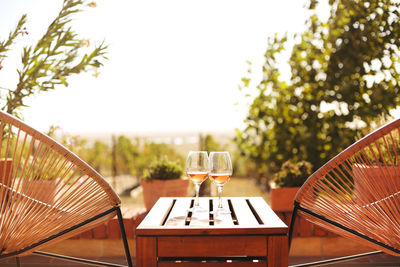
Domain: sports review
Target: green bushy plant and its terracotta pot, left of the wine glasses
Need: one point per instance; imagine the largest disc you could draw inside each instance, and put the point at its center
(163, 179)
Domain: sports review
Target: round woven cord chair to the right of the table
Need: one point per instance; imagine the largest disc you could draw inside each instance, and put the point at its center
(357, 193)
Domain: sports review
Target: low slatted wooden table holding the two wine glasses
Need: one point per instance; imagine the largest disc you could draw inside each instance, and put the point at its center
(252, 235)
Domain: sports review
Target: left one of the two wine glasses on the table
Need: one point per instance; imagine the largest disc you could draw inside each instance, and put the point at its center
(197, 166)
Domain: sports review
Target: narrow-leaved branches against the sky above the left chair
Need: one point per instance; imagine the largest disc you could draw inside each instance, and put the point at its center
(52, 60)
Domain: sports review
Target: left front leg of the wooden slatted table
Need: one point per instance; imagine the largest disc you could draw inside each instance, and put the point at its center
(146, 251)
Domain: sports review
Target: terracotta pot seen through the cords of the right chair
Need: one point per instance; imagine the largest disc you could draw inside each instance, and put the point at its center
(372, 183)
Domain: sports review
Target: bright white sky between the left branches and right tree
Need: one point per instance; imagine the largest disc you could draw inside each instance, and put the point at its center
(173, 65)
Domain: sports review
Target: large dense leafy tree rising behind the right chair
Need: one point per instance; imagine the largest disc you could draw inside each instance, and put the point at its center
(344, 73)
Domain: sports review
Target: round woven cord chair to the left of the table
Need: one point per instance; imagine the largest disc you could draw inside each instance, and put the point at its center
(47, 193)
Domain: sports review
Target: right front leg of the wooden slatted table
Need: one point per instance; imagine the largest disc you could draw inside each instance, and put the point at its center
(278, 251)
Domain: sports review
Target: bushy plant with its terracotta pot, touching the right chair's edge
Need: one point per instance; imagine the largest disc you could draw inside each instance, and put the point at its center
(287, 182)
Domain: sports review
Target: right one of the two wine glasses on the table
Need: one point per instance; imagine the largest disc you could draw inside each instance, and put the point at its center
(220, 172)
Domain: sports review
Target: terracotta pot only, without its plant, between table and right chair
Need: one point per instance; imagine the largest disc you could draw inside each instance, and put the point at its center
(282, 198)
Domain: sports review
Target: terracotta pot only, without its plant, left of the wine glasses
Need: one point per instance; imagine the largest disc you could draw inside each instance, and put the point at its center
(154, 189)
